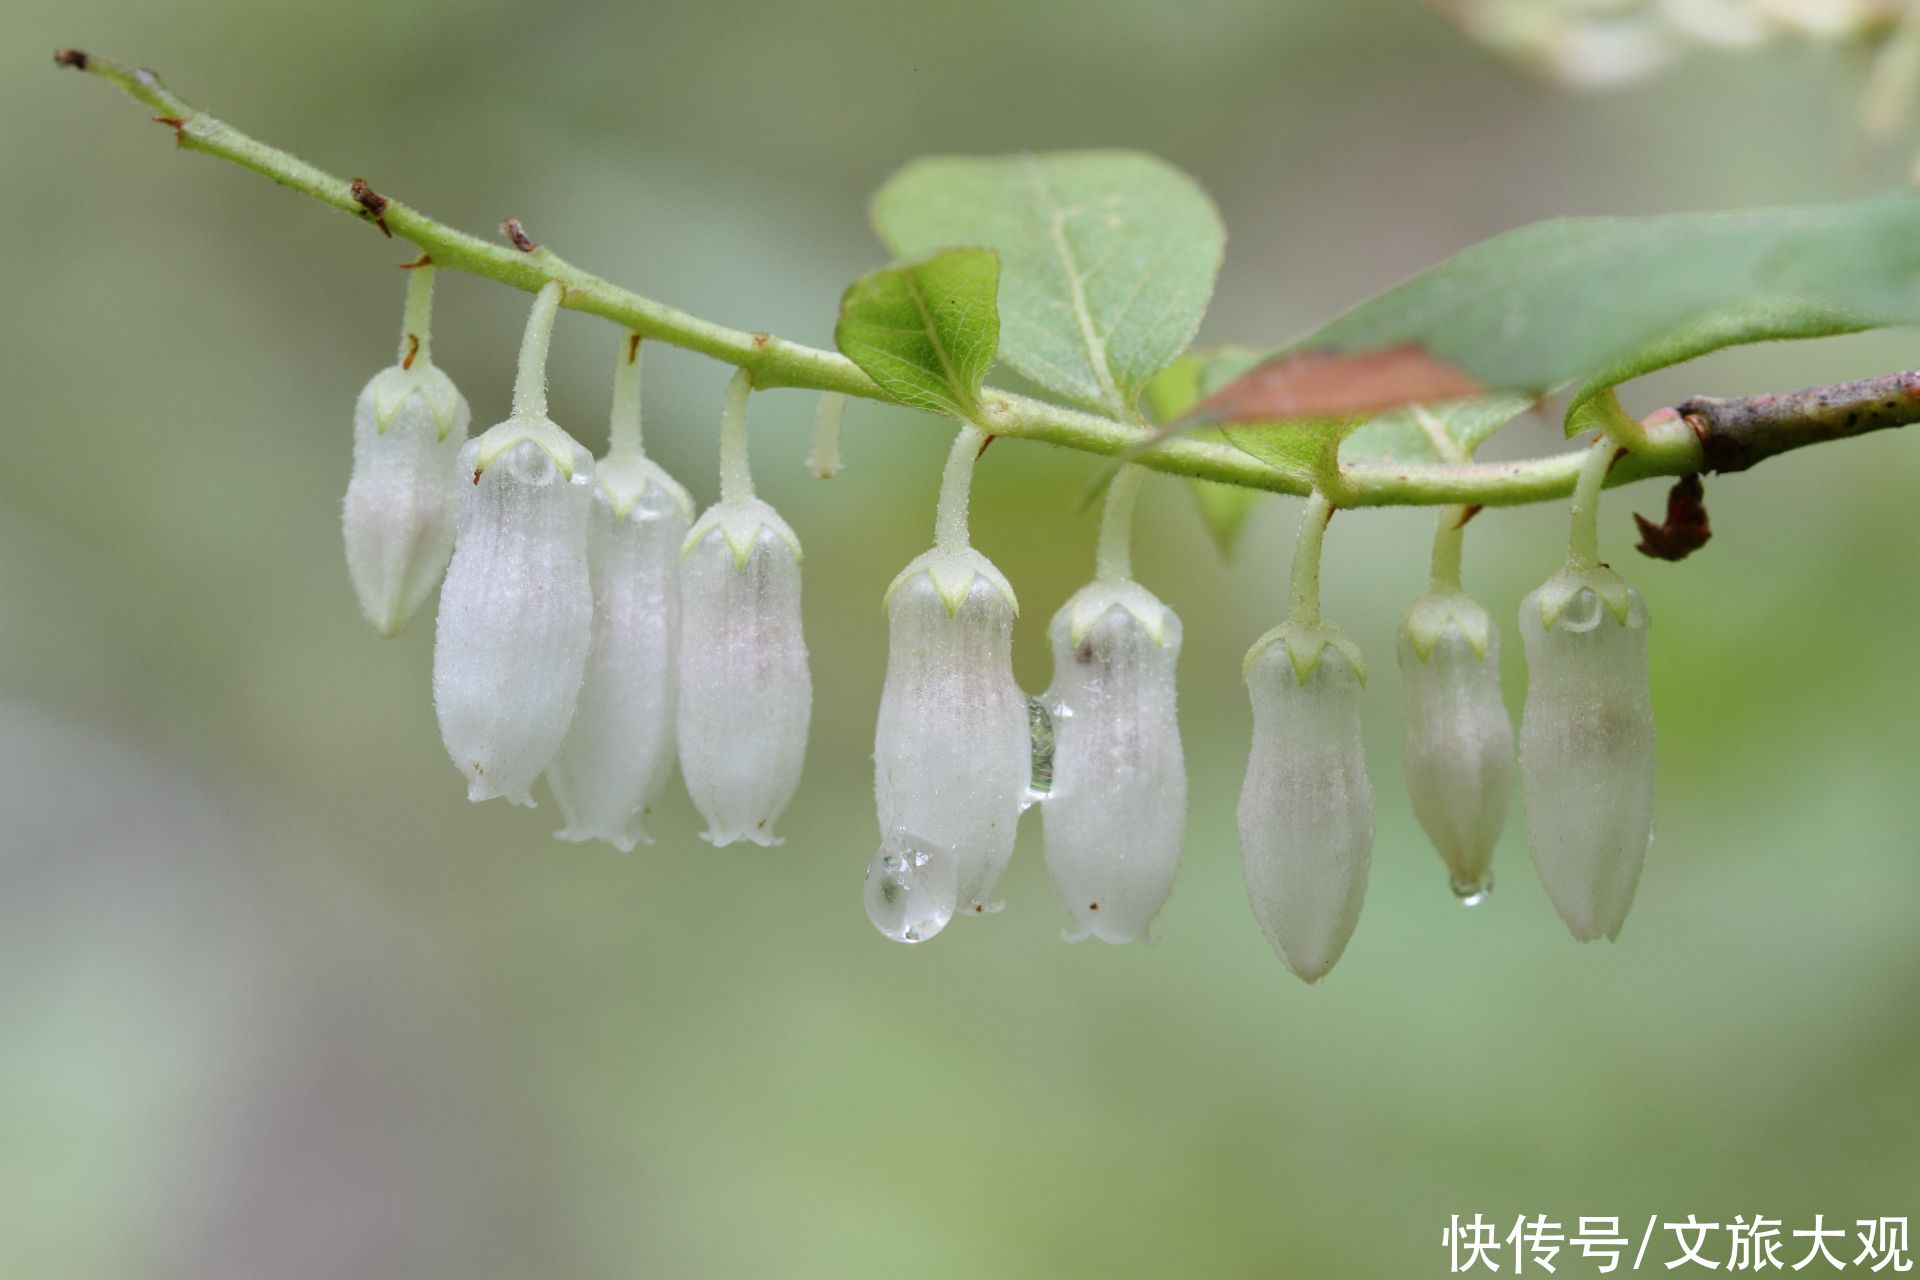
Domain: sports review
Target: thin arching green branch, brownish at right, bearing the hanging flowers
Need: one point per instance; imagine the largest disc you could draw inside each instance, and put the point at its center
(1673, 446)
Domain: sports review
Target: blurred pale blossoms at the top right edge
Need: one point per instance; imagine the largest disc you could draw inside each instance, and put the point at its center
(1608, 43)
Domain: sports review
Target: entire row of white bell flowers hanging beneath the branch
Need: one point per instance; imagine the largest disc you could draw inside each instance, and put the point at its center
(592, 630)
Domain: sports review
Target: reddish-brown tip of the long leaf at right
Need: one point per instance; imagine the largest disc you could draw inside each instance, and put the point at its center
(1337, 385)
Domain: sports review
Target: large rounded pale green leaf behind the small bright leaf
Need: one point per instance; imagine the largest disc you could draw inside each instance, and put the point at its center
(1109, 258)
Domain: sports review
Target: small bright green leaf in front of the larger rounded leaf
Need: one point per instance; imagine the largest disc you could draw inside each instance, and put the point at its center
(926, 331)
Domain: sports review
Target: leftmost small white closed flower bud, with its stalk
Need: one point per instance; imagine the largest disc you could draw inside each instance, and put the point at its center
(404, 496)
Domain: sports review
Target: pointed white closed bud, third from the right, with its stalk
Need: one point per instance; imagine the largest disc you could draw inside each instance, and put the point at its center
(1307, 807)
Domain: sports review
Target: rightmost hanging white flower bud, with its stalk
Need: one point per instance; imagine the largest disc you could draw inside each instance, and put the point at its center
(1587, 730)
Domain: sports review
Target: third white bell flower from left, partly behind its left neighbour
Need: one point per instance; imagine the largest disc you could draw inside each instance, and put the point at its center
(619, 749)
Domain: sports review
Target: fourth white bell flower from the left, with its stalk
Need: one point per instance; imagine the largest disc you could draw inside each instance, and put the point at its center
(746, 696)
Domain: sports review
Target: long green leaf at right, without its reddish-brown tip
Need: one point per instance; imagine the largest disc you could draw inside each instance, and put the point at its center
(1593, 302)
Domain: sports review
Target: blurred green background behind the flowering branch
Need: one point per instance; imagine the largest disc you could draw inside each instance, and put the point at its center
(276, 1001)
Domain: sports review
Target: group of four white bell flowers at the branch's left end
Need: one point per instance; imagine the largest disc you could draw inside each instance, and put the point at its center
(588, 625)
